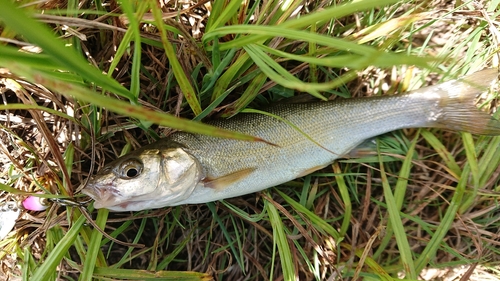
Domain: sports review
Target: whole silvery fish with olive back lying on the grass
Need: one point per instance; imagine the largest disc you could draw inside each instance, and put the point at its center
(300, 138)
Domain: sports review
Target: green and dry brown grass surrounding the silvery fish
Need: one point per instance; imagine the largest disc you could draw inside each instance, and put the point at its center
(83, 82)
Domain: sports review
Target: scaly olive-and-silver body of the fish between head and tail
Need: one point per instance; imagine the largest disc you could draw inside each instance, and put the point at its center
(324, 122)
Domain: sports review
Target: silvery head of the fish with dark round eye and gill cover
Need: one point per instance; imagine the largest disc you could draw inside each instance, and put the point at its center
(151, 177)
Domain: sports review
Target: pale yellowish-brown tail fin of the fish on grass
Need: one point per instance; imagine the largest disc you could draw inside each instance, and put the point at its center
(456, 109)
